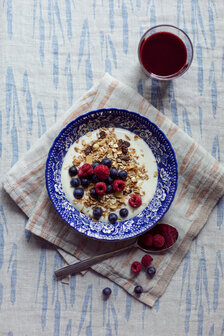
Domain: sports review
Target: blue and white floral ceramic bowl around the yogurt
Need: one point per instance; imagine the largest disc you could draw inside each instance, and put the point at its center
(166, 164)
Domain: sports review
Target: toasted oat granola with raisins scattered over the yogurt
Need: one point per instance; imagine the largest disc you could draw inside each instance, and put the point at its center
(123, 157)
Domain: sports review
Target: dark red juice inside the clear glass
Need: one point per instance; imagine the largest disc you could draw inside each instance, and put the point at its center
(163, 54)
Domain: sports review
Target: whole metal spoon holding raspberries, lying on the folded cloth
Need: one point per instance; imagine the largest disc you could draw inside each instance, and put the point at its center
(143, 242)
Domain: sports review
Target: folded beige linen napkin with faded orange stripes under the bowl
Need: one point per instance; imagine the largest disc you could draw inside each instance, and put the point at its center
(200, 186)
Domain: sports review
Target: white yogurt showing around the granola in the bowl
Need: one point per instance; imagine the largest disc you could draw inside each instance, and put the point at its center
(146, 158)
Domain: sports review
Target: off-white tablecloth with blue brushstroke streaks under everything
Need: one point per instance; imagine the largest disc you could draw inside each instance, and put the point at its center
(51, 53)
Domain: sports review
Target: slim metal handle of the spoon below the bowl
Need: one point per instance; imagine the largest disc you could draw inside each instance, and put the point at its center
(84, 264)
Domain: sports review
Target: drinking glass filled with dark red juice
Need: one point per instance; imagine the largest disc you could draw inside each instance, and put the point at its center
(165, 52)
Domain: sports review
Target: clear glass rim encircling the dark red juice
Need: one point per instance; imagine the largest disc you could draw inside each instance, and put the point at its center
(179, 72)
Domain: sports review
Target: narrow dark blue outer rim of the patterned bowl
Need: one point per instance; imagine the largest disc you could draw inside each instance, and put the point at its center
(117, 239)
